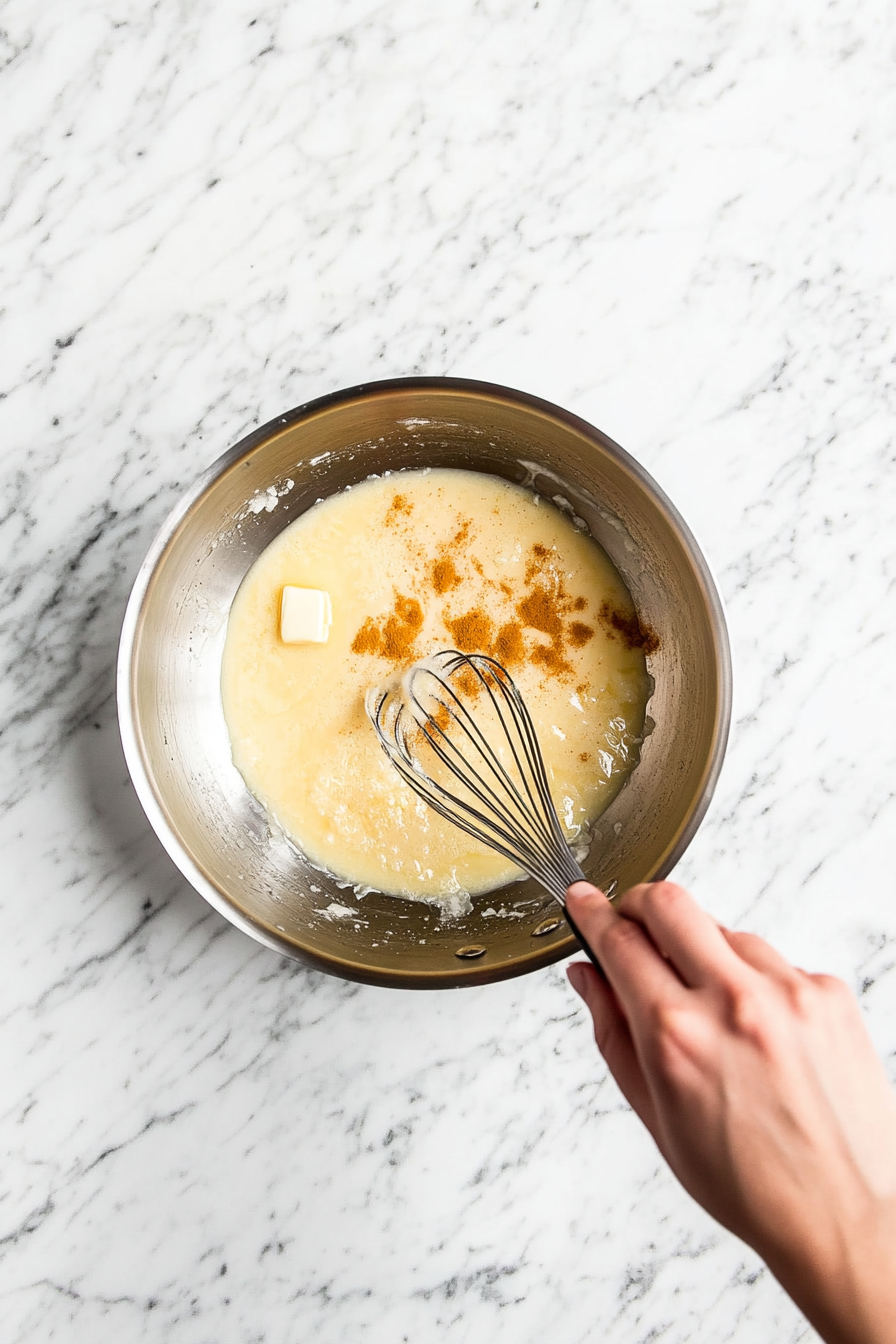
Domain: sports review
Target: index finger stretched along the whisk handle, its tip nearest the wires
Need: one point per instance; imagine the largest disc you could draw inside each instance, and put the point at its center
(639, 975)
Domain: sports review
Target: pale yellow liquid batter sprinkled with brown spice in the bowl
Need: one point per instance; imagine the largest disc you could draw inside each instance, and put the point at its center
(418, 562)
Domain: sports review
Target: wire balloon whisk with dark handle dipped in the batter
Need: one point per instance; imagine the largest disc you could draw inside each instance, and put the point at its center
(482, 771)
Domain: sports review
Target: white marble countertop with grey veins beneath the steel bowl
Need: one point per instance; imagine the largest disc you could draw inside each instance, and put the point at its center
(674, 220)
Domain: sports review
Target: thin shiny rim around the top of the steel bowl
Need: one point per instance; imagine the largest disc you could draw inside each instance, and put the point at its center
(131, 624)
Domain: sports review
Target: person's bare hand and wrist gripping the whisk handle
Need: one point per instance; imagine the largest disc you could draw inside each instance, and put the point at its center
(762, 1091)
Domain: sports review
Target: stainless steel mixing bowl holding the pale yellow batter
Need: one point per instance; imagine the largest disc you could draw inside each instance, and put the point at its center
(170, 667)
